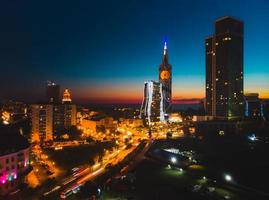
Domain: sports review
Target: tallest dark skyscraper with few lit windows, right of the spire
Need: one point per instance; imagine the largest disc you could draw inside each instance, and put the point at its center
(224, 69)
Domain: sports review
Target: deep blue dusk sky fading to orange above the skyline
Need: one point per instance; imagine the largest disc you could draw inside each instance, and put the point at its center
(105, 50)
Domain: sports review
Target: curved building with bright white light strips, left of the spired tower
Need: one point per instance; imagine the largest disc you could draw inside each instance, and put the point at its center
(152, 109)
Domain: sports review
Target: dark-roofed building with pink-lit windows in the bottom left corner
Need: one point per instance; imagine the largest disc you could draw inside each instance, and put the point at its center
(14, 161)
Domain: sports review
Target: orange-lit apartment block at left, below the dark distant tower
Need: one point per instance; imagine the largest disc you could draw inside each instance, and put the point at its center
(42, 122)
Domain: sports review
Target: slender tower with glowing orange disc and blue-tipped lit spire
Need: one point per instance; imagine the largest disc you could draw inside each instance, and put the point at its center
(165, 78)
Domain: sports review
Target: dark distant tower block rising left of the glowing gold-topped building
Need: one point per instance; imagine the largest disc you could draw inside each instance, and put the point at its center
(52, 92)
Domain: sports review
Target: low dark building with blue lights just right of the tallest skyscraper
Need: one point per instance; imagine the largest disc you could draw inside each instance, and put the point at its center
(253, 105)
